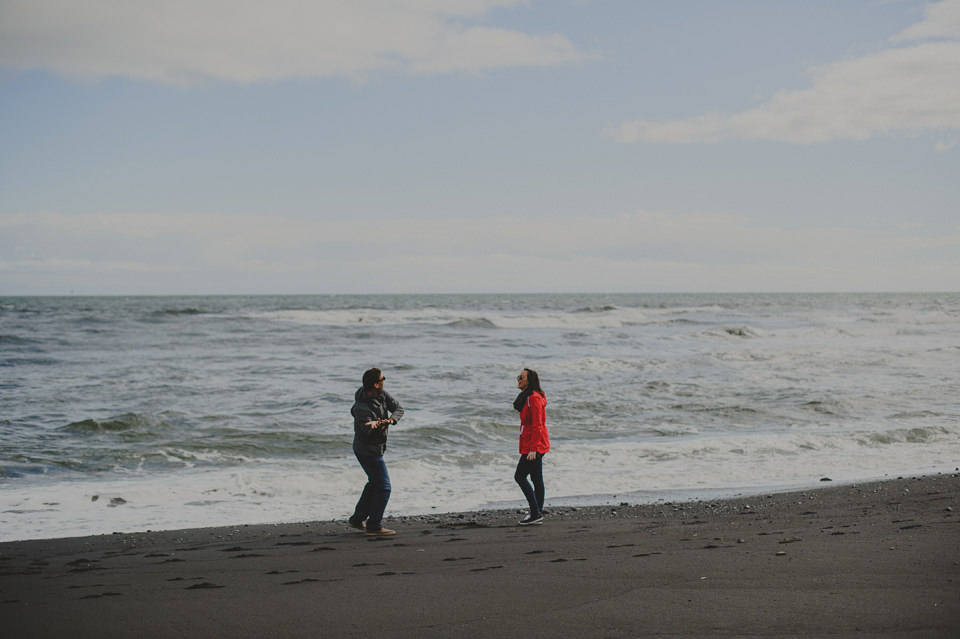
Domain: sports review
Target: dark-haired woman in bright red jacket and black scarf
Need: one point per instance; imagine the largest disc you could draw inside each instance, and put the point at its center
(534, 443)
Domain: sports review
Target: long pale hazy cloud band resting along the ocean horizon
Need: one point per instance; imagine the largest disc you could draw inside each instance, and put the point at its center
(638, 251)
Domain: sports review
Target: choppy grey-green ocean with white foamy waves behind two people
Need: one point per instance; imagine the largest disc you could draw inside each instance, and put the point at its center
(123, 414)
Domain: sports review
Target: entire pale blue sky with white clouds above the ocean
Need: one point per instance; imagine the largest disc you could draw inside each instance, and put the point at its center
(478, 146)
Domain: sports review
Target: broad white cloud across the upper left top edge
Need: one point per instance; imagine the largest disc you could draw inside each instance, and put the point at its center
(185, 42)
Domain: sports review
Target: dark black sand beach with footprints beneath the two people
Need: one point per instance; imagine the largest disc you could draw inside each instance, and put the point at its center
(878, 559)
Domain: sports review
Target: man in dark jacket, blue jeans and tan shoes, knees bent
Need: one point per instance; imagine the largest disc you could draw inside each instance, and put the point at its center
(374, 410)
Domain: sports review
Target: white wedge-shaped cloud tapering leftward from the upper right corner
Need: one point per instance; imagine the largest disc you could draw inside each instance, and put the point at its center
(897, 90)
